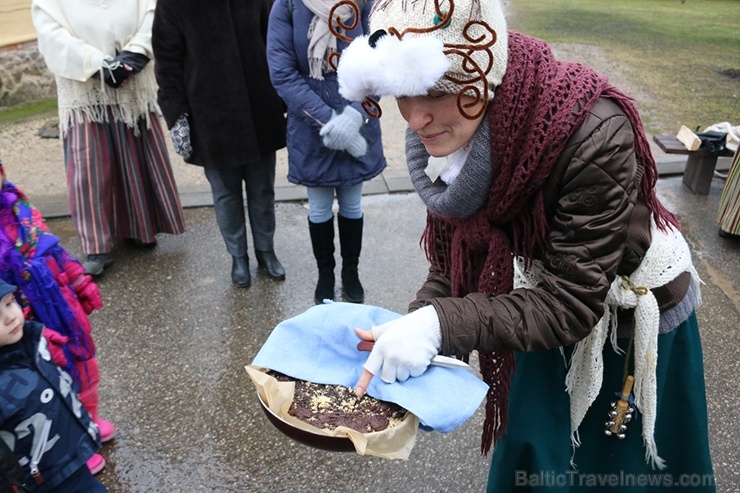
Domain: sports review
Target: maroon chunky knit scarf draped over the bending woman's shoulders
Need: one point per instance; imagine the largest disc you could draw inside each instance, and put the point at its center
(539, 104)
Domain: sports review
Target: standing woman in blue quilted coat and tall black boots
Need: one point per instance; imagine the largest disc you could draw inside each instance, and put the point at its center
(333, 147)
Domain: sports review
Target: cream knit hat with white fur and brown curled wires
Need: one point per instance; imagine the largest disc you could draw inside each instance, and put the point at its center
(453, 46)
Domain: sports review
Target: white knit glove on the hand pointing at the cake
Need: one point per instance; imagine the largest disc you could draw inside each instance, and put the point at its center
(405, 347)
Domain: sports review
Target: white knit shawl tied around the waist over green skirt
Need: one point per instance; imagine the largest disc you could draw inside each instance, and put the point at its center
(667, 258)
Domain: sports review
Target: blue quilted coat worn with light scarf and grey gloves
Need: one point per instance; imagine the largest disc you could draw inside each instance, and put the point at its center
(311, 101)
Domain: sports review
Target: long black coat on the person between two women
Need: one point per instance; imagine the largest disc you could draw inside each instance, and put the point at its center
(210, 62)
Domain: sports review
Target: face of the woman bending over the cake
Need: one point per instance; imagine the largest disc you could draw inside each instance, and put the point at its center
(438, 121)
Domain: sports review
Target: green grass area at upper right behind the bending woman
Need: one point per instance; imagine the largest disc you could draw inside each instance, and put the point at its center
(686, 53)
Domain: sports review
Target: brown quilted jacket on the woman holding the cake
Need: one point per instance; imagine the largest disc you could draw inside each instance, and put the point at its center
(599, 228)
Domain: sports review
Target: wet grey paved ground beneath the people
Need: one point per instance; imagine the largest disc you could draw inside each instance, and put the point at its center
(175, 335)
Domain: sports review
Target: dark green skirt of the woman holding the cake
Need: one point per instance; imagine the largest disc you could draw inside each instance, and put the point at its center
(536, 452)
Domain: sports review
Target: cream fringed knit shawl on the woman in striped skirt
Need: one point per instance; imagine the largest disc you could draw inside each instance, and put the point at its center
(76, 36)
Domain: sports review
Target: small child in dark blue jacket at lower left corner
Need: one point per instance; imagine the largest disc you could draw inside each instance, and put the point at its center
(41, 417)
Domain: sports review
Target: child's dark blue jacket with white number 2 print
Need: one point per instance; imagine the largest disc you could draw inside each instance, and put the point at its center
(35, 391)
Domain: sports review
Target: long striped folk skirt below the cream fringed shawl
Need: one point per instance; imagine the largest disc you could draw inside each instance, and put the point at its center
(120, 183)
